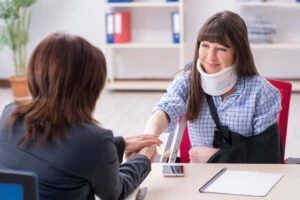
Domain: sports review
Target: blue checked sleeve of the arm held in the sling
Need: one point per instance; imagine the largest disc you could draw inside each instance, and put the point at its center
(267, 108)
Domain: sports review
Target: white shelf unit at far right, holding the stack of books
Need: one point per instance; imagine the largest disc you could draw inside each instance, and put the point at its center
(280, 58)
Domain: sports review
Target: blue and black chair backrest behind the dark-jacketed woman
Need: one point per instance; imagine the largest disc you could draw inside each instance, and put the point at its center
(18, 185)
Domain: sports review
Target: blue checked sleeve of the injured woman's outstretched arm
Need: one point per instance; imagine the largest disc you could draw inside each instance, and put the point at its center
(173, 102)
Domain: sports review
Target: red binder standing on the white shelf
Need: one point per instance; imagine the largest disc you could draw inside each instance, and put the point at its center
(122, 27)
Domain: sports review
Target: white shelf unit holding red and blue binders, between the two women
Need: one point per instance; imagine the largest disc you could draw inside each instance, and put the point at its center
(150, 60)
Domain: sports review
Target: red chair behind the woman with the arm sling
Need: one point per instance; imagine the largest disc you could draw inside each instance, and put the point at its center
(285, 89)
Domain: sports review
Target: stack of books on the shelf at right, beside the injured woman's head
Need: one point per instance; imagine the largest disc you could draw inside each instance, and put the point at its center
(260, 31)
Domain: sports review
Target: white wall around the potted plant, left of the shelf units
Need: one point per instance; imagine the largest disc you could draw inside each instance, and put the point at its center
(82, 17)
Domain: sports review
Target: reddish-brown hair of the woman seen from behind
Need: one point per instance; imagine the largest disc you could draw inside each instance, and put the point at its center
(65, 77)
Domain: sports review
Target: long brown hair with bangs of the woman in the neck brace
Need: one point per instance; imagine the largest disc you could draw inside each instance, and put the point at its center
(223, 27)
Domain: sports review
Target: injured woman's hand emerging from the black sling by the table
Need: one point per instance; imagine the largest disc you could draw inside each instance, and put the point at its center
(201, 154)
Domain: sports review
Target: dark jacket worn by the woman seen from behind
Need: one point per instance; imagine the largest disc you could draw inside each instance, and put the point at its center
(85, 163)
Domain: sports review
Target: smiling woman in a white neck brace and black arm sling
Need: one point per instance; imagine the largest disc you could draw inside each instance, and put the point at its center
(222, 77)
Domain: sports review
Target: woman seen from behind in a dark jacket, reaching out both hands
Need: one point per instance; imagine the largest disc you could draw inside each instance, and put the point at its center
(55, 134)
